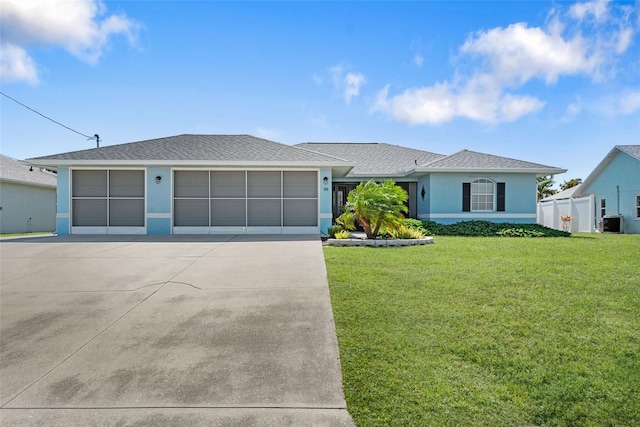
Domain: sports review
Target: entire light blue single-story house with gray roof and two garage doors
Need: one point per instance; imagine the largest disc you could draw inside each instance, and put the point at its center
(242, 184)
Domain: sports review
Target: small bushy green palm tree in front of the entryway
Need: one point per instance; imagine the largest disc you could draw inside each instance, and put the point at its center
(374, 205)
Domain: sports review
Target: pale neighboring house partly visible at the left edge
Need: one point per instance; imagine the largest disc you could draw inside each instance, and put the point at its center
(27, 197)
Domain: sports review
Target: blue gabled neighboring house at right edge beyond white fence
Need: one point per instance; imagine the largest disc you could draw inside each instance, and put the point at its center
(615, 187)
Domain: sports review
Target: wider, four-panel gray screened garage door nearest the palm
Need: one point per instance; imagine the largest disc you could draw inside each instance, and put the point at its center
(245, 201)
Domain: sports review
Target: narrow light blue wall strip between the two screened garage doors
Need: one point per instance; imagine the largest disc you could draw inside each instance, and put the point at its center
(159, 200)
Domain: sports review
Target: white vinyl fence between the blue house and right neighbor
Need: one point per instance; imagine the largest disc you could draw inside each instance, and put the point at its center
(581, 211)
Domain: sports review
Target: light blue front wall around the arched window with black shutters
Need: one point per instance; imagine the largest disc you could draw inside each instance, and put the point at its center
(443, 203)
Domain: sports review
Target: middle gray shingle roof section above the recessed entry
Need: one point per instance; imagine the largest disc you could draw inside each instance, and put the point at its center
(374, 159)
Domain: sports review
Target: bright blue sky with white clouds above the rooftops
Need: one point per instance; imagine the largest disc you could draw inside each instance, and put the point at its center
(556, 83)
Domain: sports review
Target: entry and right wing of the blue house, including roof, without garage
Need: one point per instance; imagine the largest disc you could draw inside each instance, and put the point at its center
(463, 186)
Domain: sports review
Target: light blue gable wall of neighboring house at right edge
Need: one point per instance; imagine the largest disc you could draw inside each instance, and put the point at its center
(622, 171)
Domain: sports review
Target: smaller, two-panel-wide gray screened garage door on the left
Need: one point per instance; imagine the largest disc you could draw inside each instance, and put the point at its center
(107, 201)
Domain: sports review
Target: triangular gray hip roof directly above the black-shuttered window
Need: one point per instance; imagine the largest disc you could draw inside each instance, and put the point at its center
(466, 159)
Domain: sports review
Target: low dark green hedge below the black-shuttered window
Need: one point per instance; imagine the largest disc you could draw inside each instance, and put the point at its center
(488, 228)
